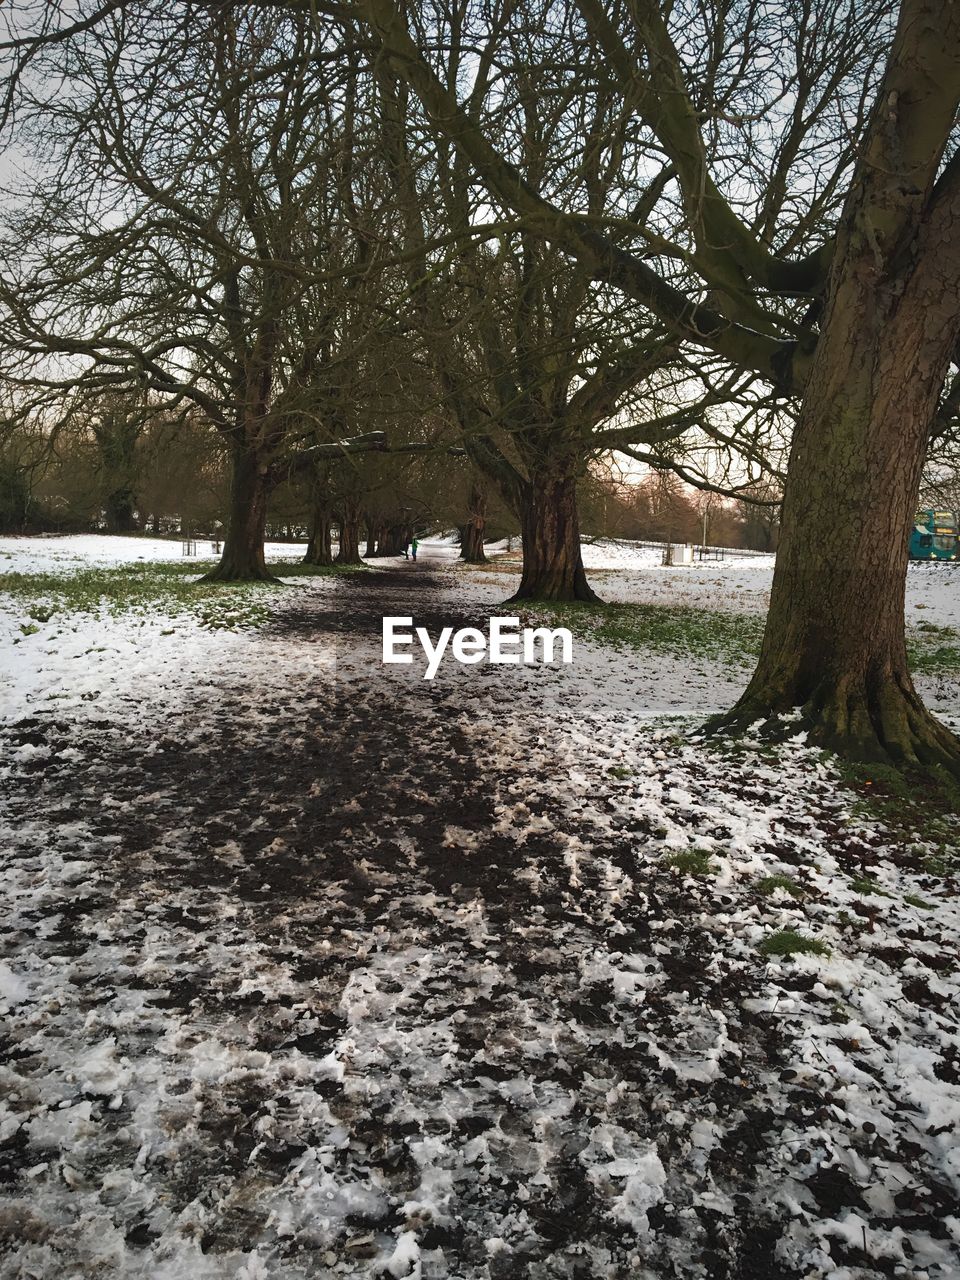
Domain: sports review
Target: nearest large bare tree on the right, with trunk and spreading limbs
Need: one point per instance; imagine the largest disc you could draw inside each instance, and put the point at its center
(829, 267)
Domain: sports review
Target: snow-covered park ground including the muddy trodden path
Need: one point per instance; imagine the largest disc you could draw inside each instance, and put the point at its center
(313, 968)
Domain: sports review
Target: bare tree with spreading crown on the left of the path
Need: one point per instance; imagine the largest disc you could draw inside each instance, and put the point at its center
(202, 188)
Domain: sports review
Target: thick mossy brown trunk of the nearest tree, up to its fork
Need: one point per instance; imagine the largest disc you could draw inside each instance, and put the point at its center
(835, 642)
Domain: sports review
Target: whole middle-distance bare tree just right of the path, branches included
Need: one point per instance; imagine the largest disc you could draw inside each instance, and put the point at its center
(540, 369)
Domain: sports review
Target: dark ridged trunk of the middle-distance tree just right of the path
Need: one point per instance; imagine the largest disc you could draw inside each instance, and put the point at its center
(554, 569)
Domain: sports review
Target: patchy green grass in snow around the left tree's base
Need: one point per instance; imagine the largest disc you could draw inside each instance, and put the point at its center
(149, 588)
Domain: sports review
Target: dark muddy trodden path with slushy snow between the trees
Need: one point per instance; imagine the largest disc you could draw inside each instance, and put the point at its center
(345, 967)
